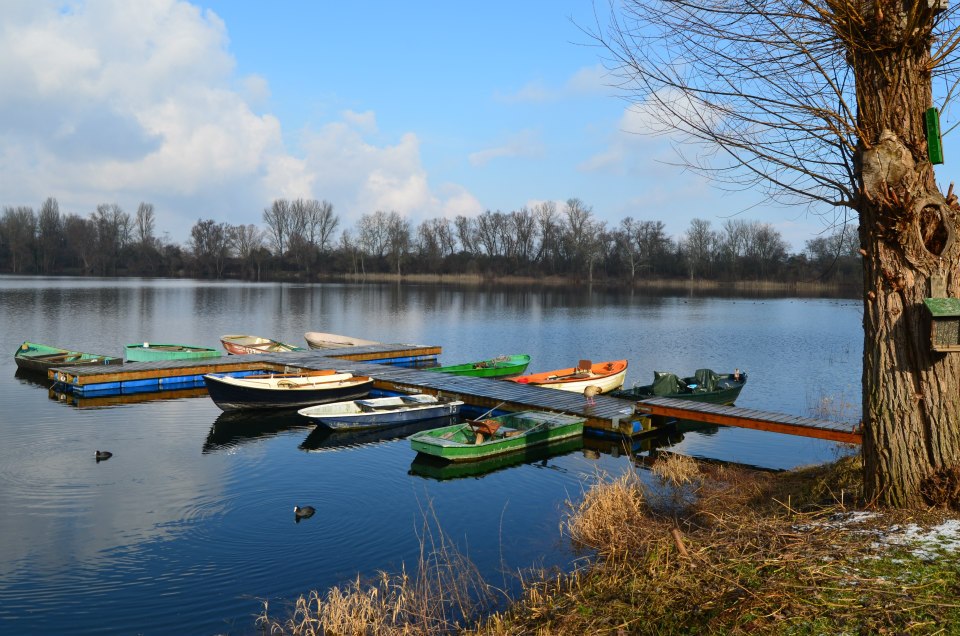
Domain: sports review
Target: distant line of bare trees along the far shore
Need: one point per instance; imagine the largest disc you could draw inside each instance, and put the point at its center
(303, 240)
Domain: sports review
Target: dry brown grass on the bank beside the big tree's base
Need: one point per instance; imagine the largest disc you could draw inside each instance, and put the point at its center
(755, 553)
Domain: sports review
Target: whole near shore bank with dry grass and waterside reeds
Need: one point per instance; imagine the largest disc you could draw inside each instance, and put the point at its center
(716, 550)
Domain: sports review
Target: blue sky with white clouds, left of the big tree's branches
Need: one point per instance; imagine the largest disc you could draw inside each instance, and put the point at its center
(211, 109)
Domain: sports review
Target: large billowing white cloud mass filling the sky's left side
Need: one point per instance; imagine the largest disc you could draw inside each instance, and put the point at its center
(120, 102)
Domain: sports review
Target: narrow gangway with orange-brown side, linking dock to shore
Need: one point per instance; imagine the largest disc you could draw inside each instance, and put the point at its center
(752, 419)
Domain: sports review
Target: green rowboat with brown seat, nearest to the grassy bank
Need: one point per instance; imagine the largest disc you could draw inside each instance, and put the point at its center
(510, 433)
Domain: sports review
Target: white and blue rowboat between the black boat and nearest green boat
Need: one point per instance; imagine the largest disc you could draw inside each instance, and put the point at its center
(381, 412)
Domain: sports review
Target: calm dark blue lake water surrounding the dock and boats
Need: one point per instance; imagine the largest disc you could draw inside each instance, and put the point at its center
(190, 525)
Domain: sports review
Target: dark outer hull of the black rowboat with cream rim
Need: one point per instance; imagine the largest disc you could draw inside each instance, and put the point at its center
(231, 396)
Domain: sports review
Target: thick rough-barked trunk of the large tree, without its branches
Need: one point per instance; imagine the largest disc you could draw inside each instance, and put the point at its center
(908, 233)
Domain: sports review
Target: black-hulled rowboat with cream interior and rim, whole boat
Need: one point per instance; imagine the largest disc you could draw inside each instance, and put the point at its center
(284, 390)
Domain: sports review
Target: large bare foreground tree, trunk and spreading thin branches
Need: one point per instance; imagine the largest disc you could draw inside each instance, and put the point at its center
(825, 102)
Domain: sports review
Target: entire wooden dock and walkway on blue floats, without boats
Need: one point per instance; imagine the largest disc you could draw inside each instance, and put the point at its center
(607, 415)
